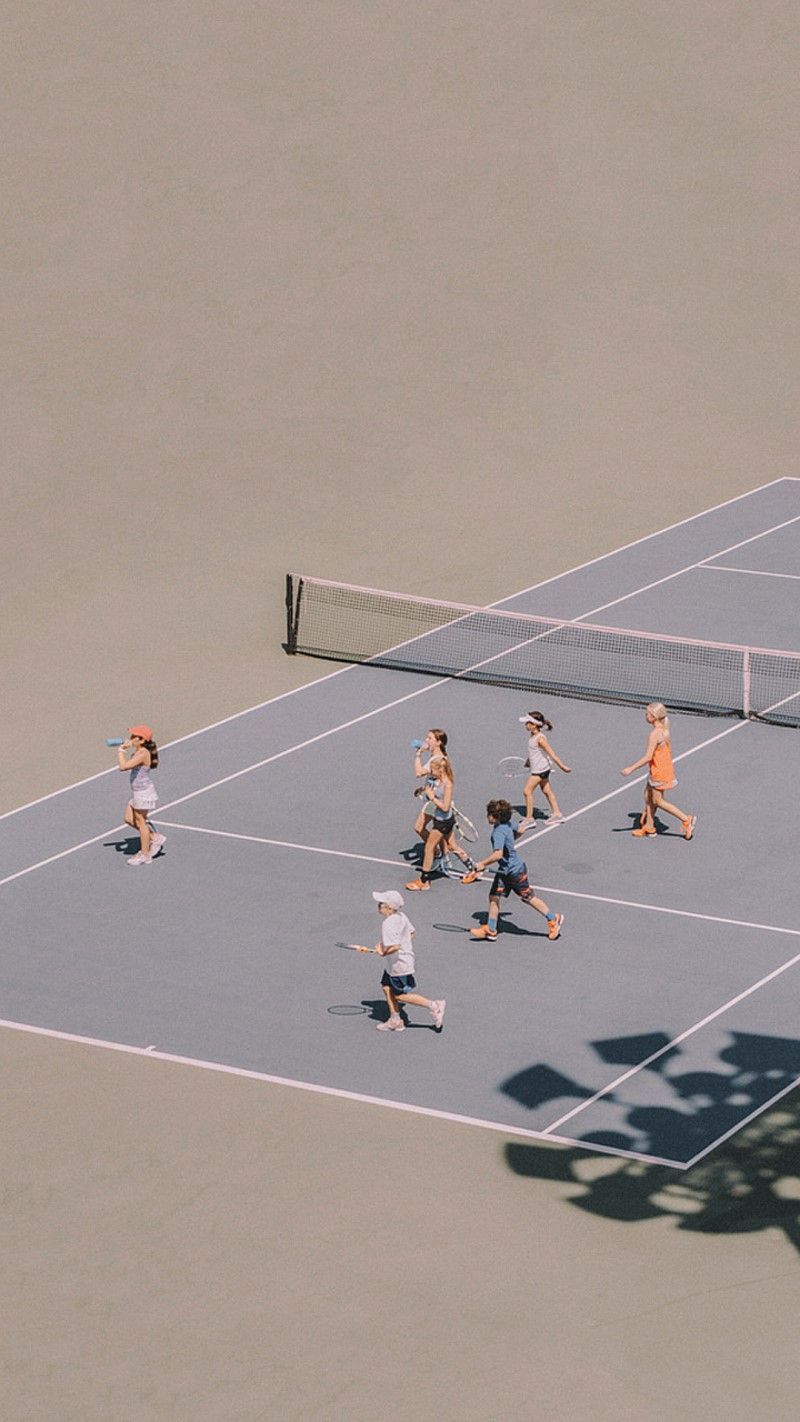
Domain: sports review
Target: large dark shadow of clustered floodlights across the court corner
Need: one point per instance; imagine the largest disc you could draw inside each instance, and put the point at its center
(750, 1182)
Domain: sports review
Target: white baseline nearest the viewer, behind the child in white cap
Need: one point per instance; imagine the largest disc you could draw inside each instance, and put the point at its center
(153, 1054)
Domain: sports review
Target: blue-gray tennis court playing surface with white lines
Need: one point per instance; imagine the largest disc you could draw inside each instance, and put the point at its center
(660, 1023)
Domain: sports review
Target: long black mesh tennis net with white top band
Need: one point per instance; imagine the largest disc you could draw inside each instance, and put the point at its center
(342, 622)
